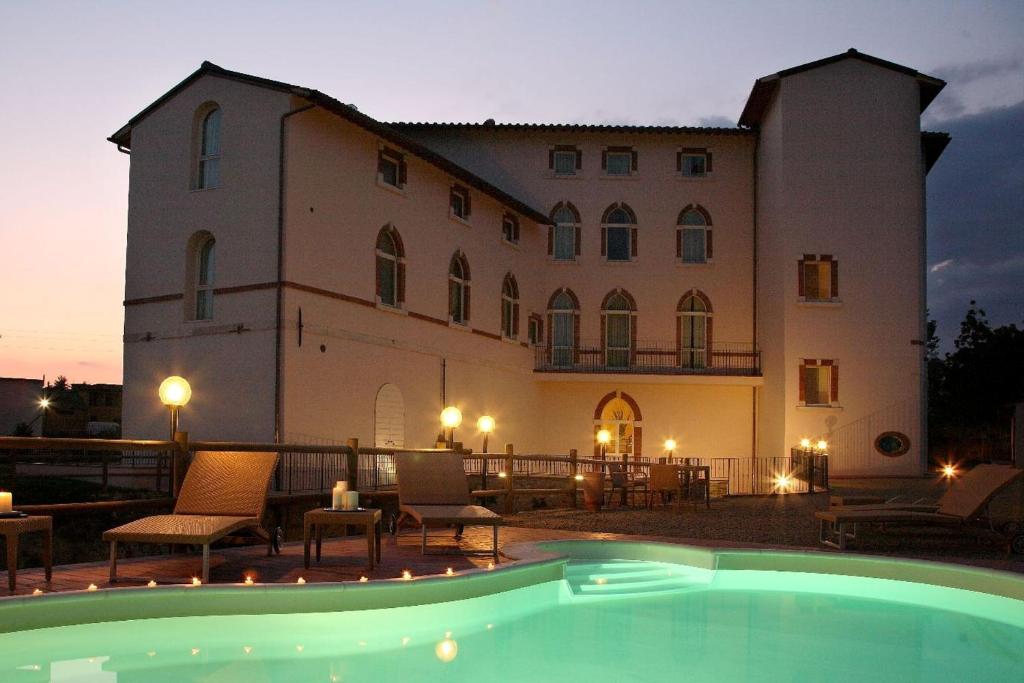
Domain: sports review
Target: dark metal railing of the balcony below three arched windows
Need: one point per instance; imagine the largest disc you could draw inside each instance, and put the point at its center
(652, 358)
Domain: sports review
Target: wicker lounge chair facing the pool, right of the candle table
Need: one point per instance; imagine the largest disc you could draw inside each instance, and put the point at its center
(434, 492)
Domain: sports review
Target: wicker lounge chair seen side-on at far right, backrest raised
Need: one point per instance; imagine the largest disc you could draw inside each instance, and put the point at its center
(962, 506)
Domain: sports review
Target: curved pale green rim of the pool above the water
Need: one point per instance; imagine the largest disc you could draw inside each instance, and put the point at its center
(531, 564)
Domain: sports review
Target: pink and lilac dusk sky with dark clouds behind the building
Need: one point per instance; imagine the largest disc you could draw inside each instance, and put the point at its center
(73, 73)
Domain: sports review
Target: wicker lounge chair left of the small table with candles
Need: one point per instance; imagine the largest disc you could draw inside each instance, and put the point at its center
(223, 494)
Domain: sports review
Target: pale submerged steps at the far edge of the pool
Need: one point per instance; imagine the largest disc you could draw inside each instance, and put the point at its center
(632, 579)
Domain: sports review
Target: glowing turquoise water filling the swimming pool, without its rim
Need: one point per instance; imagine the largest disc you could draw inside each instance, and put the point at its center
(613, 621)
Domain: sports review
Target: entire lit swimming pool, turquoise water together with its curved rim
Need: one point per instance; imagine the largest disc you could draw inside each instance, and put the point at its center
(596, 613)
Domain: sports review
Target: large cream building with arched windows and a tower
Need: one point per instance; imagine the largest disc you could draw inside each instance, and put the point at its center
(318, 275)
